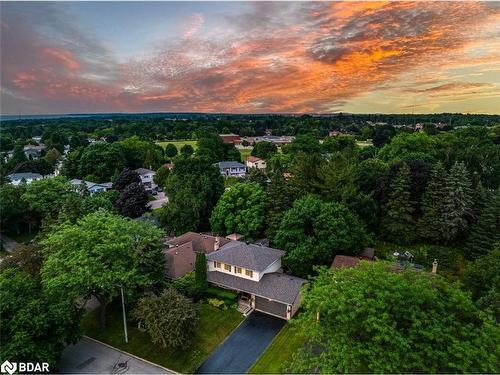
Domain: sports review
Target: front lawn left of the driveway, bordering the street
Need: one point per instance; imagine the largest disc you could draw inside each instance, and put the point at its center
(213, 327)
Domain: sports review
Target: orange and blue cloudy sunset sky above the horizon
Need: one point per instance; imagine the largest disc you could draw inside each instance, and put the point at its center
(250, 57)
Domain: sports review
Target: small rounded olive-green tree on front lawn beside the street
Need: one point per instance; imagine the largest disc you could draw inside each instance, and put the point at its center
(170, 318)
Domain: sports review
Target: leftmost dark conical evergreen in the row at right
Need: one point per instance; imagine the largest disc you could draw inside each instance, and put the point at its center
(398, 222)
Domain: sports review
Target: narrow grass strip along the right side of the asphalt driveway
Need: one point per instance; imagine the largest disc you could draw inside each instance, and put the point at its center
(280, 351)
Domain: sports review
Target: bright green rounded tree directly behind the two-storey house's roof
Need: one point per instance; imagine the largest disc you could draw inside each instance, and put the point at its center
(241, 210)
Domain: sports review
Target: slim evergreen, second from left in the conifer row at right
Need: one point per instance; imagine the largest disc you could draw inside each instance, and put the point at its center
(430, 227)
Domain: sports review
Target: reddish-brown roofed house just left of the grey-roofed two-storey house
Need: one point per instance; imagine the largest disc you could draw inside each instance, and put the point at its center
(181, 251)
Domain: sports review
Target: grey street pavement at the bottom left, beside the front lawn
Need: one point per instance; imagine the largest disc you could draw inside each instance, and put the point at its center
(91, 357)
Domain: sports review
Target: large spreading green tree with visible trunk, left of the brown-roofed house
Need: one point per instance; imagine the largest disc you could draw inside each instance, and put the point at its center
(100, 253)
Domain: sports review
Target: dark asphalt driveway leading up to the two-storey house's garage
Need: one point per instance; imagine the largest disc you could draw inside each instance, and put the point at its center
(244, 346)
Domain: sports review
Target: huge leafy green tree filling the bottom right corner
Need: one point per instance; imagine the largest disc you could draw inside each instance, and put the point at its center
(375, 320)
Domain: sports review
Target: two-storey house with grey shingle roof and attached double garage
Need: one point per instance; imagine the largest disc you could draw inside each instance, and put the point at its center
(255, 272)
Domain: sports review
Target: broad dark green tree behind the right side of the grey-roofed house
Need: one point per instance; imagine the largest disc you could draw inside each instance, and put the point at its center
(312, 232)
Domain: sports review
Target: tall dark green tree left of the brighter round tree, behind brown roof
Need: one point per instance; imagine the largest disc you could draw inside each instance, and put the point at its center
(193, 188)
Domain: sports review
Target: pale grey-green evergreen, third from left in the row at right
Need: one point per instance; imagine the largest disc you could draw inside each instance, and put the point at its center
(457, 203)
